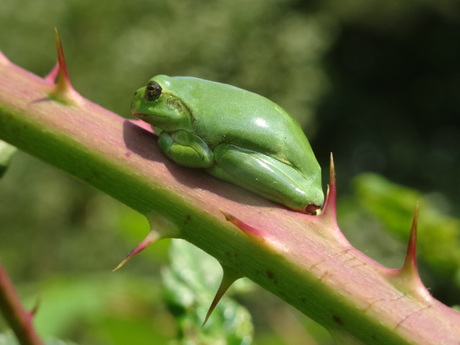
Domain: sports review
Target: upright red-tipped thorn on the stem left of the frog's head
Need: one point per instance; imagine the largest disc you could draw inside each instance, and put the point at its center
(63, 90)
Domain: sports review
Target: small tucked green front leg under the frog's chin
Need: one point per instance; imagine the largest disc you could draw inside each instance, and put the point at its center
(186, 148)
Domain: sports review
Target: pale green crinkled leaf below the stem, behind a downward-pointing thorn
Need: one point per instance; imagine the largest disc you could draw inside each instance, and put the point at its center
(190, 284)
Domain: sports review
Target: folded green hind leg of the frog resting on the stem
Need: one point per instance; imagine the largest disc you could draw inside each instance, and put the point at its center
(265, 176)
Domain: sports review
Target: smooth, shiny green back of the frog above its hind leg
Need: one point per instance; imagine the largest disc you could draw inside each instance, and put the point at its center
(227, 114)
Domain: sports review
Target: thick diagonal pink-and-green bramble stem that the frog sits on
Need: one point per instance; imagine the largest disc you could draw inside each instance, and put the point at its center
(303, 259)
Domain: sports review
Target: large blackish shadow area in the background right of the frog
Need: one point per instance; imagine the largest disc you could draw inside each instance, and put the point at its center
(394, 104)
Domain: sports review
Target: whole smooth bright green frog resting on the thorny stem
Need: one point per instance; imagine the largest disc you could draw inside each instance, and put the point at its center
(234, 134)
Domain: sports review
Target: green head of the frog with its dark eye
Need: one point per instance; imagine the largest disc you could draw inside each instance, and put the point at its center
(158, 104)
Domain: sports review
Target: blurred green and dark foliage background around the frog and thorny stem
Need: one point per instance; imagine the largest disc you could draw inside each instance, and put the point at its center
(375, 82)
